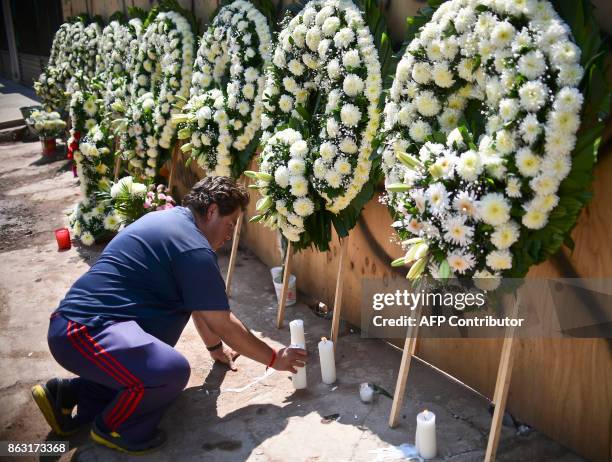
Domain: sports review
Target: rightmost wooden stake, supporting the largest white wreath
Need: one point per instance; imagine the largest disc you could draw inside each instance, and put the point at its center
(502, 385)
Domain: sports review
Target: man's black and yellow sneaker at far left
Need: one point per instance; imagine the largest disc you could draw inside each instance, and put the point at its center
(56, 402)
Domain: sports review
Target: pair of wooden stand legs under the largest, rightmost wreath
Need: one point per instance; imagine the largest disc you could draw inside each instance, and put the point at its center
(502, 383)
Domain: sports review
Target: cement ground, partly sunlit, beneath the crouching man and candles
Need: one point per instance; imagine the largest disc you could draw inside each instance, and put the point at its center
(219, 417)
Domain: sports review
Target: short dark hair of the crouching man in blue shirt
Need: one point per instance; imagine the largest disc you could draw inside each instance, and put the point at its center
(220, 190)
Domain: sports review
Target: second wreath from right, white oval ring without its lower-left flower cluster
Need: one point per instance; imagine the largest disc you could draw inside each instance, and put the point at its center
(328, 48)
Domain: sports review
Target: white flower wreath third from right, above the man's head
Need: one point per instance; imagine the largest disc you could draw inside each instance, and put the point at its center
(221, 123)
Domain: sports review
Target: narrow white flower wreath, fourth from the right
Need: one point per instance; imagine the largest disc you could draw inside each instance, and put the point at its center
(162, 74)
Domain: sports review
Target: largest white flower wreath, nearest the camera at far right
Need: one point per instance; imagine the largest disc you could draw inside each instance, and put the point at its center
(460, 192)
